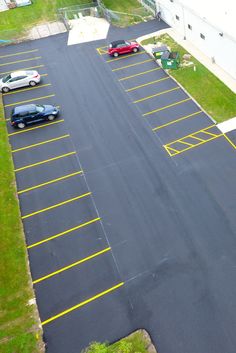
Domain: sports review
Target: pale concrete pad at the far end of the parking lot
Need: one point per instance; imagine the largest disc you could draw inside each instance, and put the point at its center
(87, 29)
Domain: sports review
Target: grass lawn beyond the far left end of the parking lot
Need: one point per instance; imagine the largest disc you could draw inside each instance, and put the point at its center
(13, 23)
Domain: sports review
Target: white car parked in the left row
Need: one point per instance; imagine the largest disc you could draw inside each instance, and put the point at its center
(19, 79)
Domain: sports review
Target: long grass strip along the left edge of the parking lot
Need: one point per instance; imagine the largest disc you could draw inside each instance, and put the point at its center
(19, 331)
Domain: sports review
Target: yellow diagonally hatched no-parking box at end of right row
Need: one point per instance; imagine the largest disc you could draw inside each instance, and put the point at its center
(172, 150)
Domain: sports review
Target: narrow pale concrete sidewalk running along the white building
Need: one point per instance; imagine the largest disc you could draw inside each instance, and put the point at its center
(194, 51)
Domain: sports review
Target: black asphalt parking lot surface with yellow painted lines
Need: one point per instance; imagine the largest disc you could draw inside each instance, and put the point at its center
(127, 200)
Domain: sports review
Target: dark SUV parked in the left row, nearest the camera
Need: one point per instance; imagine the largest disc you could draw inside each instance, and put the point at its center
(28, 114)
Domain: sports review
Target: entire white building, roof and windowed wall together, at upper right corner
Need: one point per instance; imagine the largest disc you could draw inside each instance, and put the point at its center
(209, 25)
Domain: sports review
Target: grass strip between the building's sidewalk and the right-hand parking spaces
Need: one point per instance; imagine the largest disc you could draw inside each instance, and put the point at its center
(211, 93)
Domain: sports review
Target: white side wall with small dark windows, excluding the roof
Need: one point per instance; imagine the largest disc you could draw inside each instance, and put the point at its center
(217, 45)
